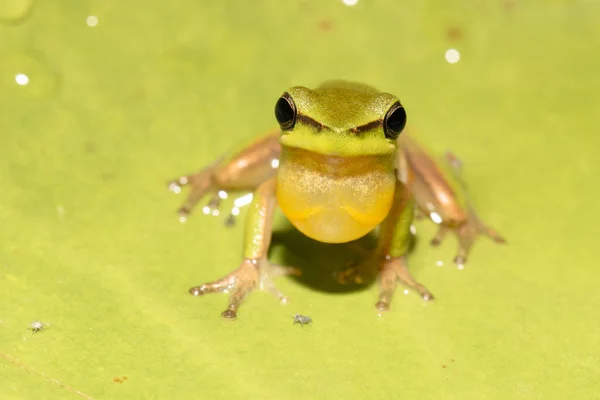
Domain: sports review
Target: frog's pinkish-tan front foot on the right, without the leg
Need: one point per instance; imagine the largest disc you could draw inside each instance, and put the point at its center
(392, 271)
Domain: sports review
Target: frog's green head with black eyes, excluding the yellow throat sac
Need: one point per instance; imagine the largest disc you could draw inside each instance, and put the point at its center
(340, 119)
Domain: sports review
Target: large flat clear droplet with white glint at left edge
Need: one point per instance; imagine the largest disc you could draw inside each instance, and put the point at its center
(25, 75)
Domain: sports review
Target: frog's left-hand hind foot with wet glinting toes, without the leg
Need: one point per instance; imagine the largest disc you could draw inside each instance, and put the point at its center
(200, 183)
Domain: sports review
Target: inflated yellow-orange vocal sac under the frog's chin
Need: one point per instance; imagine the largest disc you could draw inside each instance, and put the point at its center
(334, 199)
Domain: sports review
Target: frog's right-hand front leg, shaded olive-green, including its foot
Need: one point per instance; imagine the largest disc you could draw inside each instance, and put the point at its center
(393, 246)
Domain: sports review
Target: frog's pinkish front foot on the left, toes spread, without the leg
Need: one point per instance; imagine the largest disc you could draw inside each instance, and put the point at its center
(245, 279)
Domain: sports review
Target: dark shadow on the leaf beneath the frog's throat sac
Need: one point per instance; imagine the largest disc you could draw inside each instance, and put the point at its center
(320, 262)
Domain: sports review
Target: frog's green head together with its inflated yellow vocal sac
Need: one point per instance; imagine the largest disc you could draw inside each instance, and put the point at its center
(336, 176)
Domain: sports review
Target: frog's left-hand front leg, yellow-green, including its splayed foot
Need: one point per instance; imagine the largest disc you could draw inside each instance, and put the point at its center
(255, 269)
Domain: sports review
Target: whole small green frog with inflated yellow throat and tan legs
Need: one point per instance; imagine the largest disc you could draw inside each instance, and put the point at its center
(339, 167)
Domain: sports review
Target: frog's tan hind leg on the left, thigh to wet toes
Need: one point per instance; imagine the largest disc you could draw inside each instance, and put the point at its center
(244, 171)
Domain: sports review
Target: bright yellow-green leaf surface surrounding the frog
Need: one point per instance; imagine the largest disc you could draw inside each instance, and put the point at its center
(107, 109)
